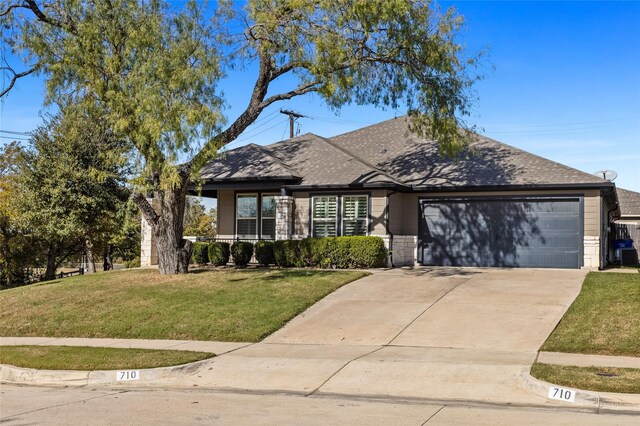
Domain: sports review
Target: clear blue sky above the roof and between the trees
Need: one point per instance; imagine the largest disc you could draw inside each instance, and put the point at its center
(566, 86)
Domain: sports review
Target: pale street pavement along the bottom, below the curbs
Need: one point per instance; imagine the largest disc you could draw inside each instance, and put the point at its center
(29, 405)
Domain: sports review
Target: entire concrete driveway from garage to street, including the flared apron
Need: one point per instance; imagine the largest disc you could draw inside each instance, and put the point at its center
(440, 333)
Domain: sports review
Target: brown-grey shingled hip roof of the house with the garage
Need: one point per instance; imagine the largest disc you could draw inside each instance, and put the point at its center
(387, 154)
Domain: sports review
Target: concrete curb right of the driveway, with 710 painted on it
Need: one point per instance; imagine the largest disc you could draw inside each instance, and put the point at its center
(602, 401)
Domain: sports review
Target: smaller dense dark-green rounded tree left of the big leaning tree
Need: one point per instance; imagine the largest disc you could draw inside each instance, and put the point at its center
(70, 186)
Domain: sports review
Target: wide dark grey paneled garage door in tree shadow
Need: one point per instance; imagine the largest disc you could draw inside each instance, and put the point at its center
(512, 232)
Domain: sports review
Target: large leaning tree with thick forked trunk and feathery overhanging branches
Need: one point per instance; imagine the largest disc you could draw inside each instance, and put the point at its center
(157, 72)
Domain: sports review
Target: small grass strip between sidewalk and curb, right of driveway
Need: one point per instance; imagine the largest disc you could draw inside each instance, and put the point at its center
(623, 380)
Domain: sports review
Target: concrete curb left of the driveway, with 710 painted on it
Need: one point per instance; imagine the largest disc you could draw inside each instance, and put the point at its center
(17, 375)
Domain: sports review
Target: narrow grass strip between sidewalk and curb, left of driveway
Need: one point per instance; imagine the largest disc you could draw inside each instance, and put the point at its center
(85, 358)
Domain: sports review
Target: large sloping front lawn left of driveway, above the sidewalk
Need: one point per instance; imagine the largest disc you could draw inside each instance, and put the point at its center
(223, 305)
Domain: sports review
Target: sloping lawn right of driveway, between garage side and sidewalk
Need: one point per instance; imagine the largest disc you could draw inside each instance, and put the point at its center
(604, 319)
